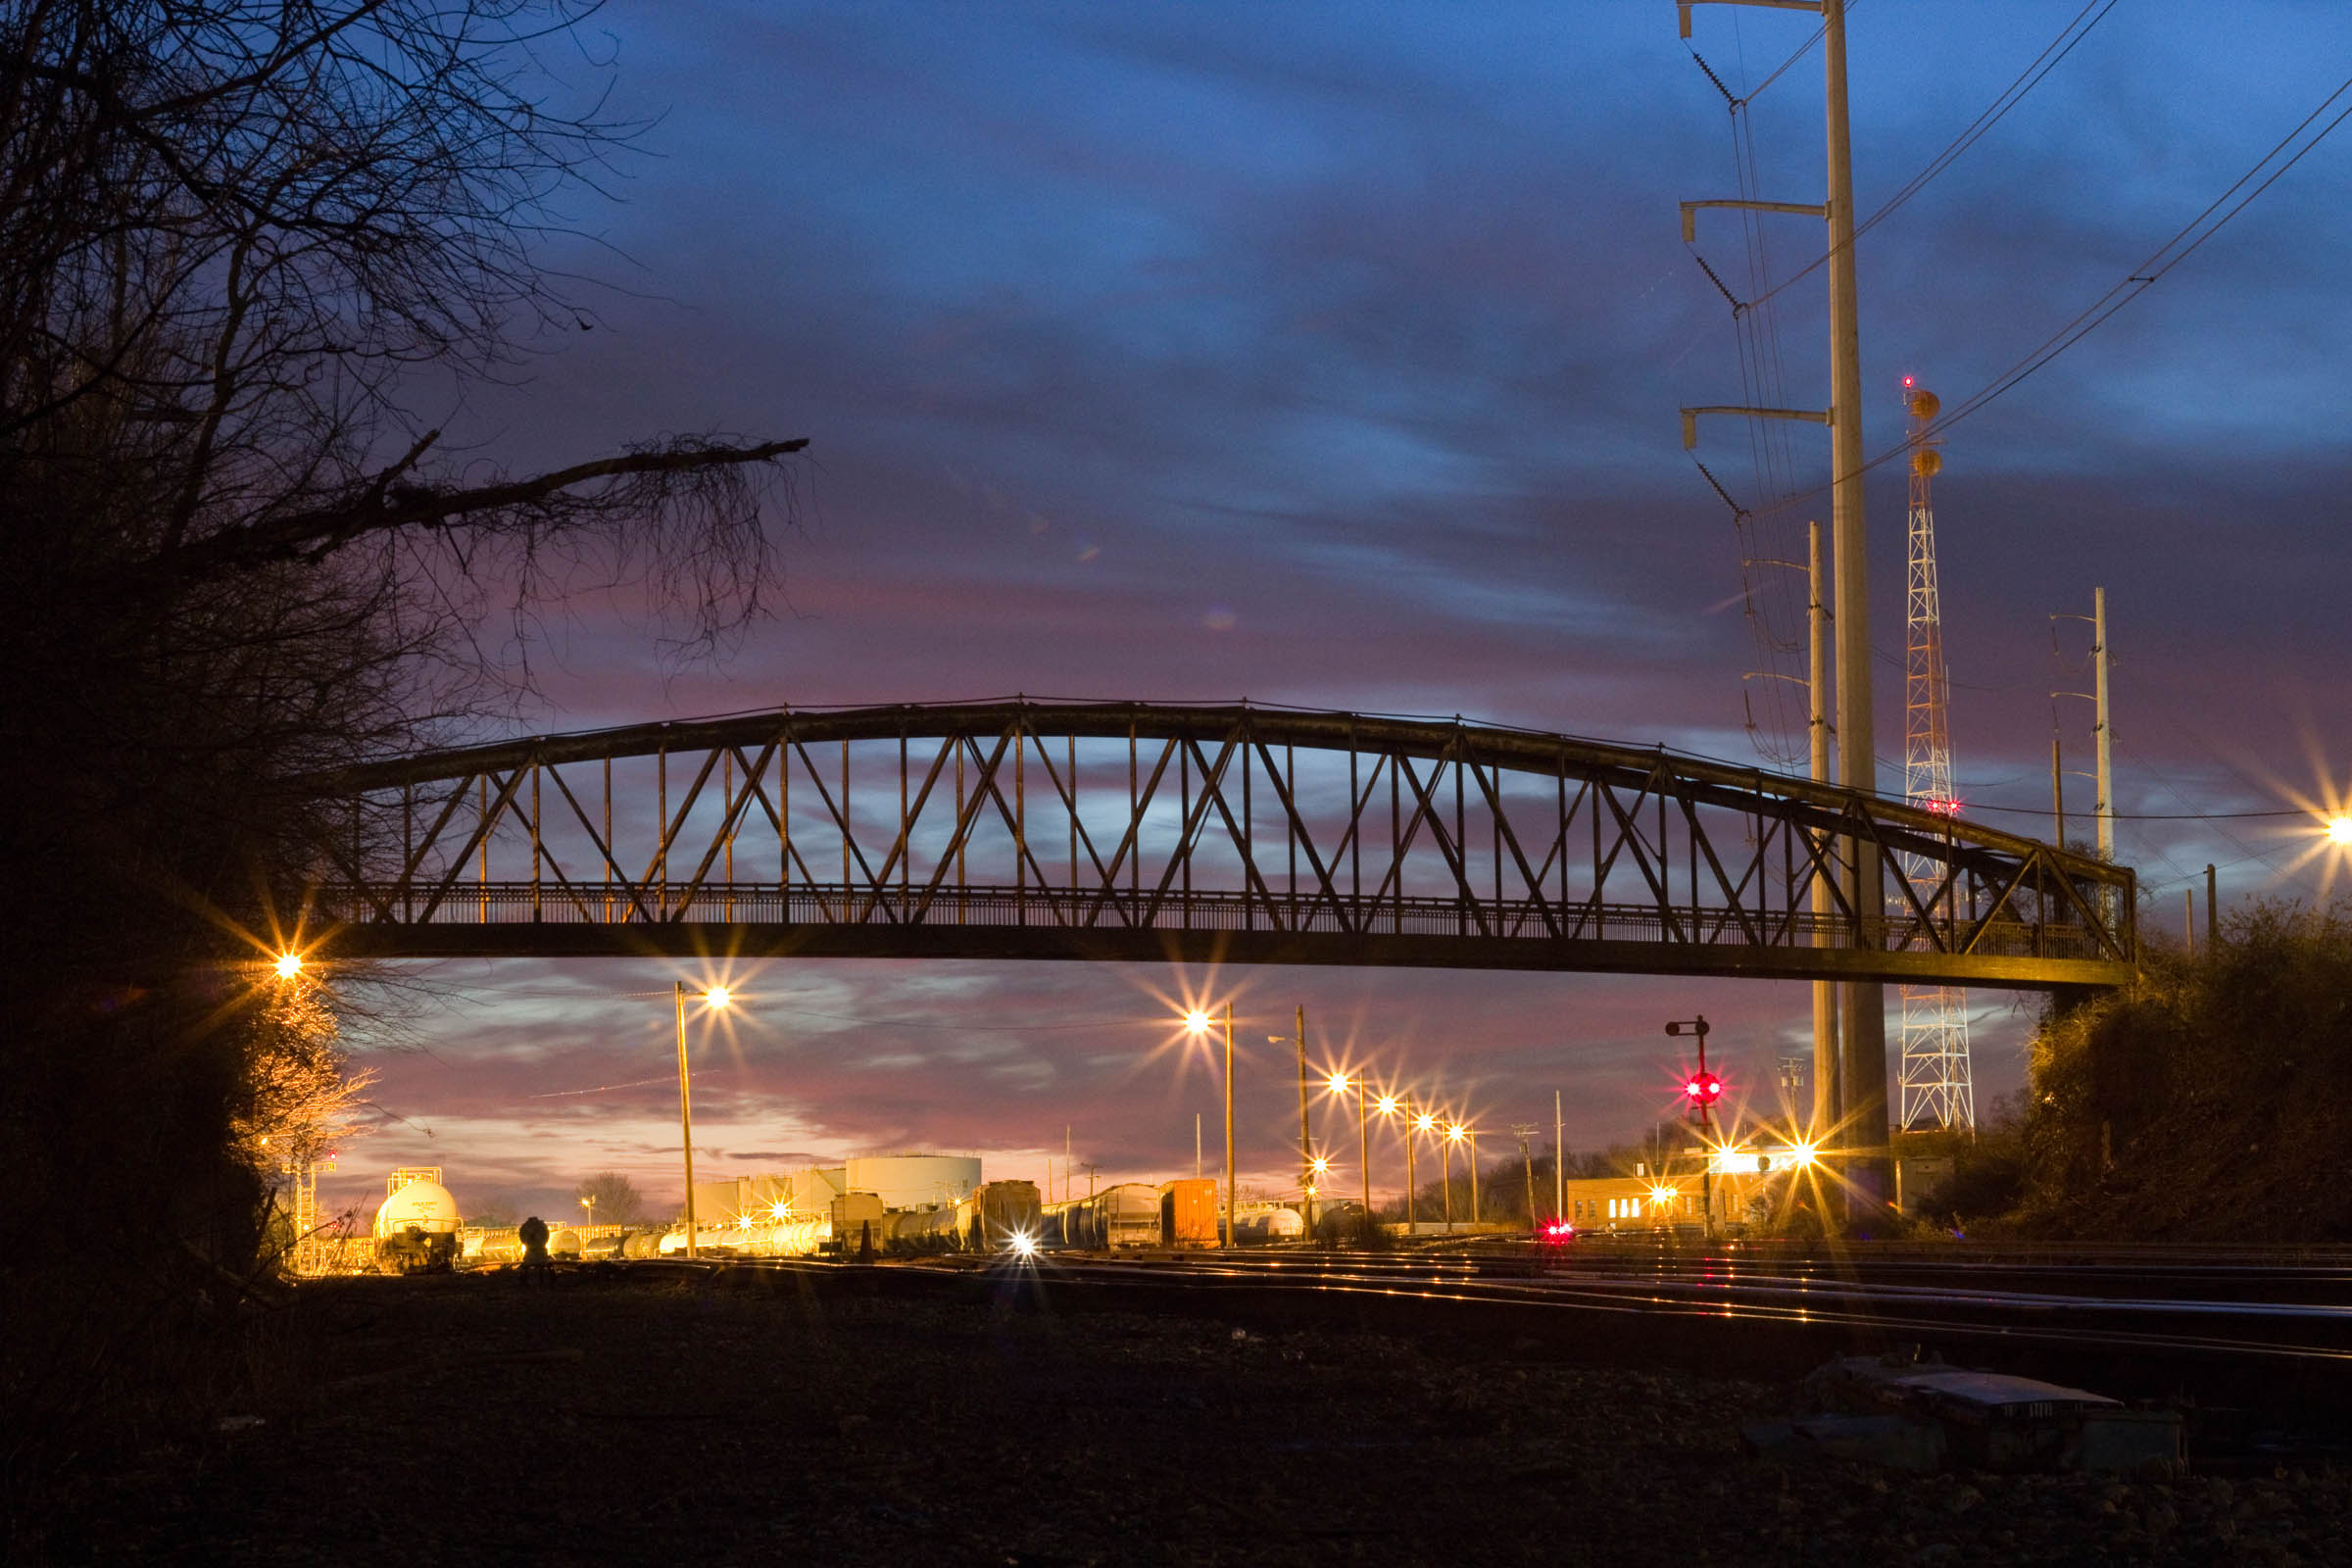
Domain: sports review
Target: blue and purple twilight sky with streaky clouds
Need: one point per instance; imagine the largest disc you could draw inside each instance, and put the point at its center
(1330, 356)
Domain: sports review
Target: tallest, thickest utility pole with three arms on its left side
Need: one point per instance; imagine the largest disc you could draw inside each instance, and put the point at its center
(1864, 1003)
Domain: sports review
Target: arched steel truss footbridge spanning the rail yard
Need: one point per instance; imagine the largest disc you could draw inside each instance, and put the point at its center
(1151, 833)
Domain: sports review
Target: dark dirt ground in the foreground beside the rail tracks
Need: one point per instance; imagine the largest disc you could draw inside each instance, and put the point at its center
(754, 1419)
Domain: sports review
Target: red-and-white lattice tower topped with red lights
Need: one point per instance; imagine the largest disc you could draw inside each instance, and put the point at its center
(1935, 1087)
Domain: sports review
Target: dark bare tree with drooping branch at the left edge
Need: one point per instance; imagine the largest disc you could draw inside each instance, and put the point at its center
(236, 241)
